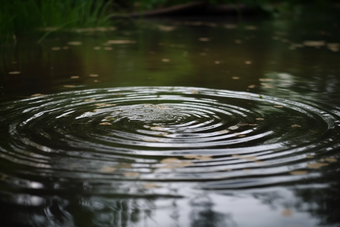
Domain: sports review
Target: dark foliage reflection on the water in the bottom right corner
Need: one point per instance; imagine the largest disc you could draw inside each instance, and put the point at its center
(317, 195)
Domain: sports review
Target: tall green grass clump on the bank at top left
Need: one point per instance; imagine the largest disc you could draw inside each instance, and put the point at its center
(24, 17)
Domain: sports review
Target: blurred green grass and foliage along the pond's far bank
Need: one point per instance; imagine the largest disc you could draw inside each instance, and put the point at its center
(22, 17)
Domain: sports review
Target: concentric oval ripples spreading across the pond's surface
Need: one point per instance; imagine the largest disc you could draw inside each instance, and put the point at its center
(154, 140)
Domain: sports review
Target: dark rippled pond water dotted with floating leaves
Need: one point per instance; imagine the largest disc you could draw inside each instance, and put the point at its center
(173, 123)
